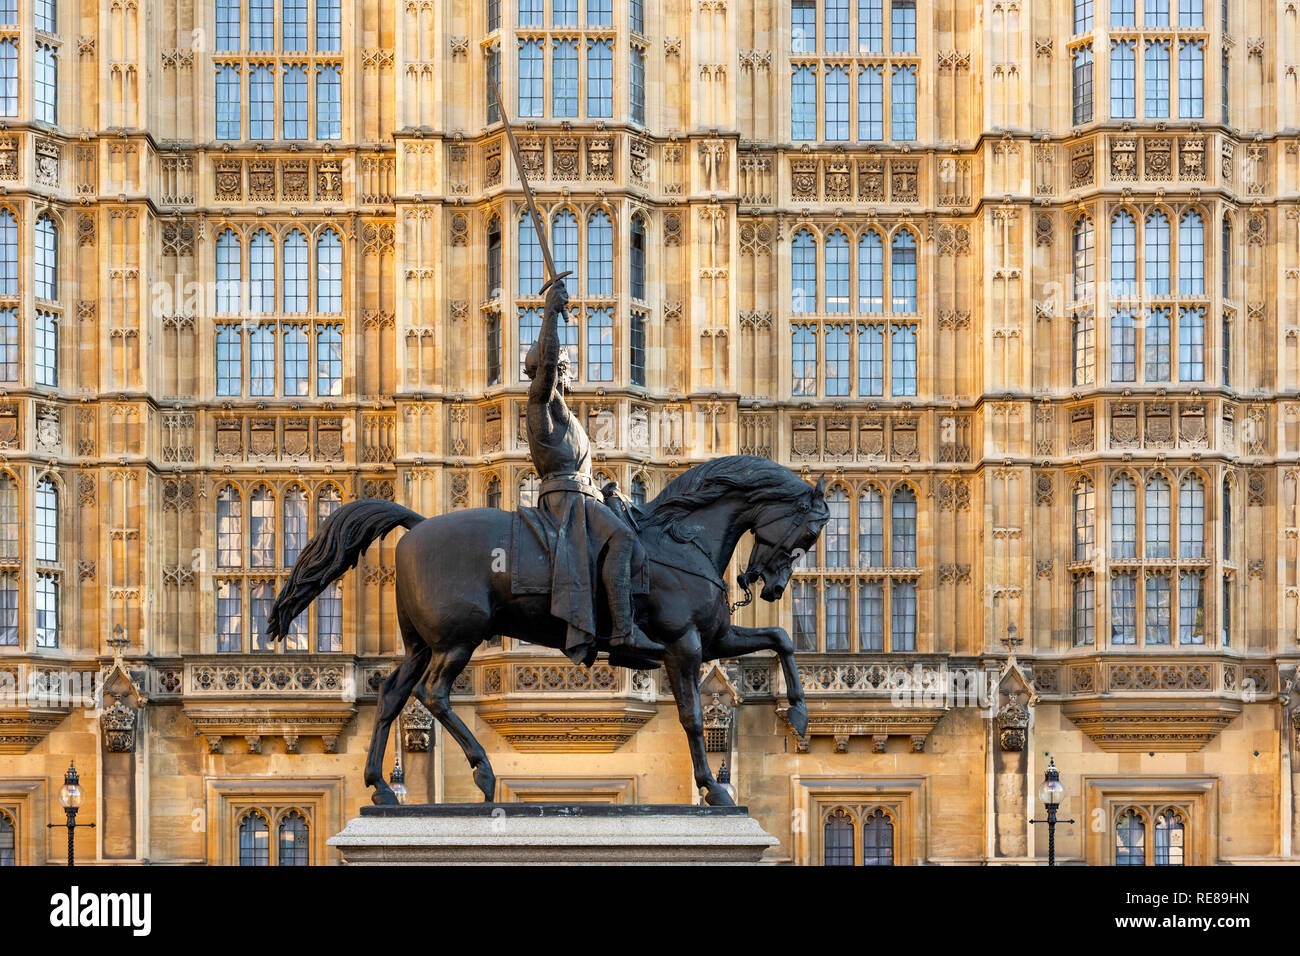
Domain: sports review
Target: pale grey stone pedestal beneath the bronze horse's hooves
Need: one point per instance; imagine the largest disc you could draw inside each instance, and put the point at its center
(545, 834)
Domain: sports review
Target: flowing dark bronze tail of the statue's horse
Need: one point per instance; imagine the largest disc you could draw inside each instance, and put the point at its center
(336, 550)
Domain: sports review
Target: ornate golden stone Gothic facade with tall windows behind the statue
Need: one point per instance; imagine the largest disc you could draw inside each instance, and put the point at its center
(379, 315)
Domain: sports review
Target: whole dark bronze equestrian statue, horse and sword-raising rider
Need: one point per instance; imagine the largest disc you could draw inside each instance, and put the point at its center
(587, 572)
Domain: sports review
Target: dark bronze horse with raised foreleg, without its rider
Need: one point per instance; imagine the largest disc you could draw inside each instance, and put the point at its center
(450, 600)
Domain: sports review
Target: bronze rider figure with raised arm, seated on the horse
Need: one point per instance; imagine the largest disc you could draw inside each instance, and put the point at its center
(583, 525)
